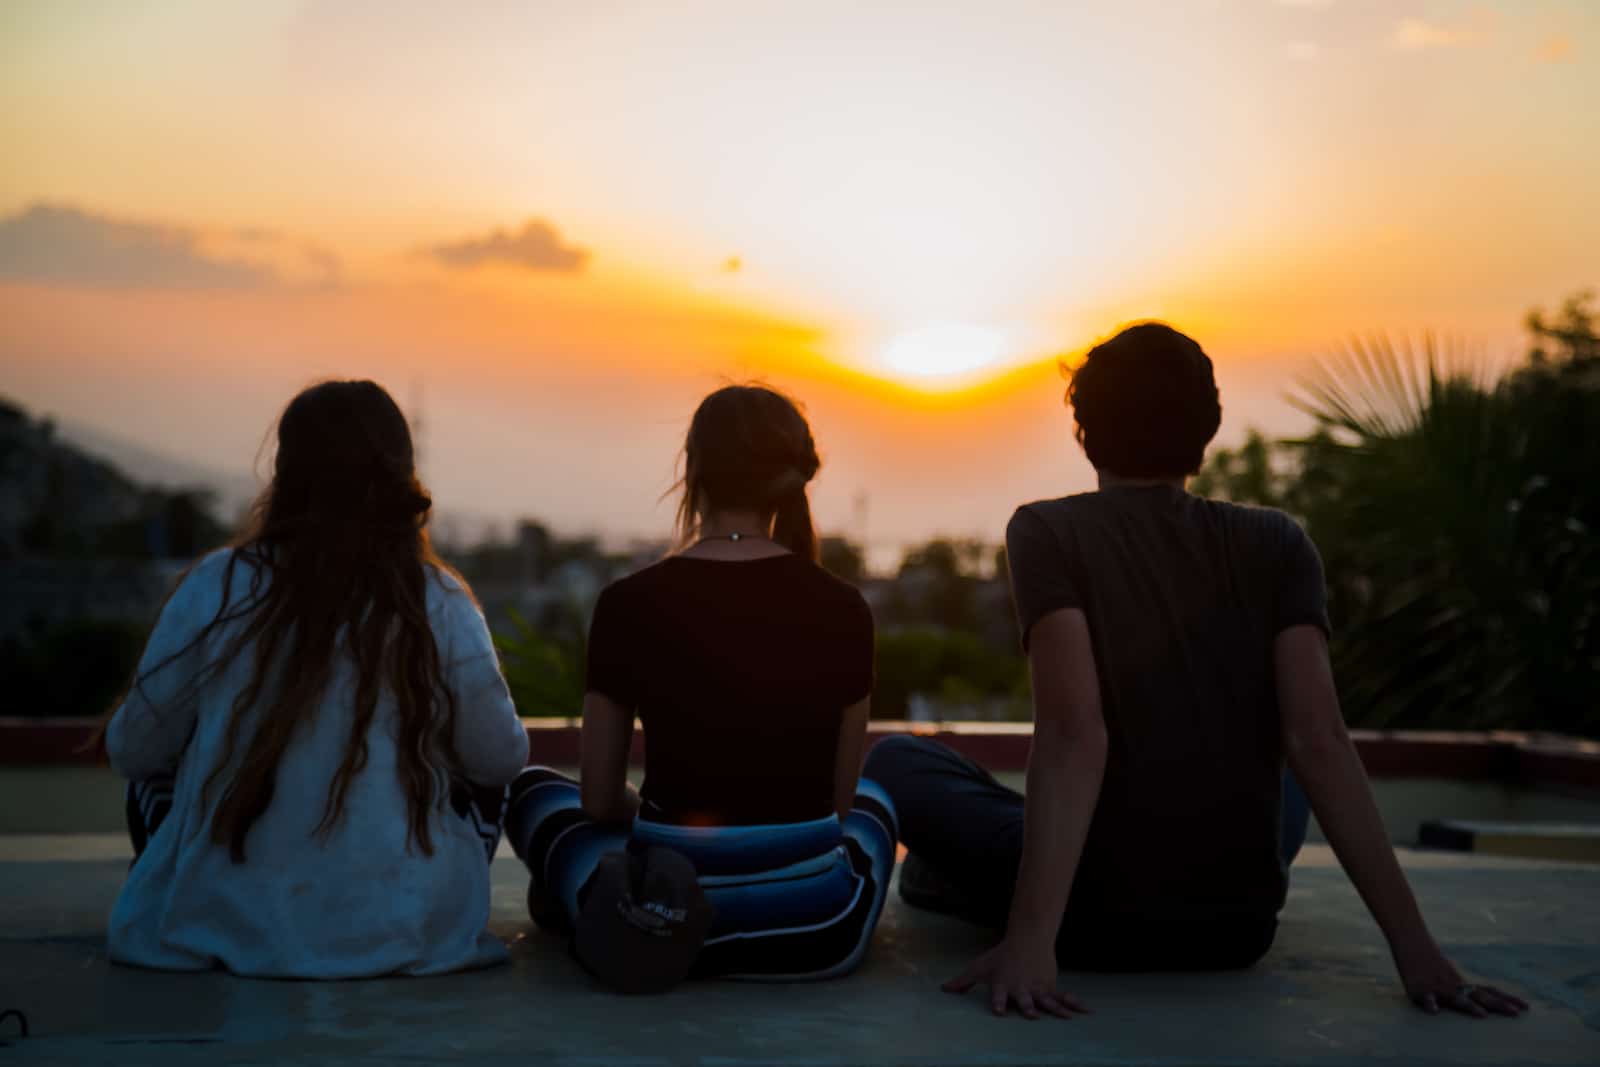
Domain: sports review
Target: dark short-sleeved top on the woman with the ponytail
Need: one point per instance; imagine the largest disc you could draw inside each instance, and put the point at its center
(740, 673)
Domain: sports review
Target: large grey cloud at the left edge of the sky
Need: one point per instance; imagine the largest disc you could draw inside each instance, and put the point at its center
(63, 246)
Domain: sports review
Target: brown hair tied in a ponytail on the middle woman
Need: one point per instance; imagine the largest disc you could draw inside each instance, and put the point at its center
(750, 447)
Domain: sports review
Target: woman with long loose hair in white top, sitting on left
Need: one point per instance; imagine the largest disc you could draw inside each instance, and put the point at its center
(318, 737)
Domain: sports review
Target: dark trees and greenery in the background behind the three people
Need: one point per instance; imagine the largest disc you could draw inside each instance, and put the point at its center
(1457, 514)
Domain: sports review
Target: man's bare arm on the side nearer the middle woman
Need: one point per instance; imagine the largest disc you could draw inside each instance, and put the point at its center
(1065, 770)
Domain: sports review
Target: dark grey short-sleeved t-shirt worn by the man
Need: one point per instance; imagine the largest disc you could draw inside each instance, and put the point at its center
(1183, 597)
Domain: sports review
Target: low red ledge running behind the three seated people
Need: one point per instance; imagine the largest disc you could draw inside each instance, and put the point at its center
(1514, 759)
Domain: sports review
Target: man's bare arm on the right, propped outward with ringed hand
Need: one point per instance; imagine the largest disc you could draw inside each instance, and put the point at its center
(1327, 765)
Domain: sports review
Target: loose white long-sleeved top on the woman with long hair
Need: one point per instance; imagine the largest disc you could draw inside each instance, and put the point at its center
(350, 905)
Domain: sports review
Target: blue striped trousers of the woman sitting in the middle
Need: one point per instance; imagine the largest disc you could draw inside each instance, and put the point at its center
(794, 903)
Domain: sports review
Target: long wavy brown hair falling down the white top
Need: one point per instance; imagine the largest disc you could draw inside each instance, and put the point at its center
(338, 556)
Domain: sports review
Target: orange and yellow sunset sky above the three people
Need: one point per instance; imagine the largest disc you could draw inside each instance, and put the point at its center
(561, 226)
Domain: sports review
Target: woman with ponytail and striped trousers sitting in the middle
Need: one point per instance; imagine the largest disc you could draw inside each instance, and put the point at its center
(751, 671)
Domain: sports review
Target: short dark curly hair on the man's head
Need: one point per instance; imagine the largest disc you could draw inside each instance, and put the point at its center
(1146, 404)
